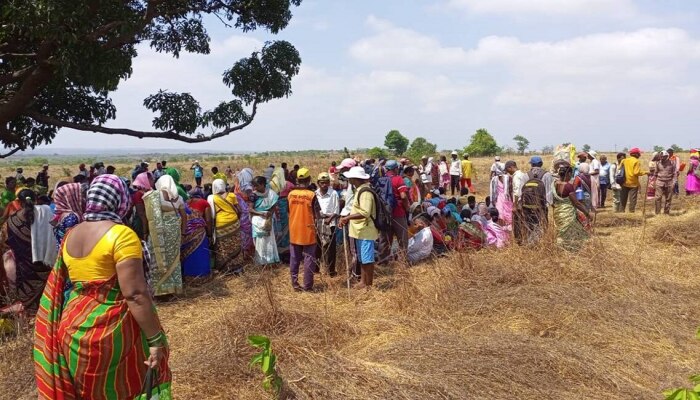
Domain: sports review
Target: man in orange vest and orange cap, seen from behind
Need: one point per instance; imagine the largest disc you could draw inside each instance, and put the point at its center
(303, 212)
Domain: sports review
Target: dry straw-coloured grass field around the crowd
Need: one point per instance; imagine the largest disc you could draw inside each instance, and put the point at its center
(614, 321)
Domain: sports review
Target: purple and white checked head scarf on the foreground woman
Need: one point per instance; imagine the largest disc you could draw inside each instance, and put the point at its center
(107, 199)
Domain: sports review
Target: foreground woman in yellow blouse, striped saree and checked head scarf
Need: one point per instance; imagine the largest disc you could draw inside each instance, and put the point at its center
(97, 331)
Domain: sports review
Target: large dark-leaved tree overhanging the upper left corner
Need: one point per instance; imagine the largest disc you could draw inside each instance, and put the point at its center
(59, 61)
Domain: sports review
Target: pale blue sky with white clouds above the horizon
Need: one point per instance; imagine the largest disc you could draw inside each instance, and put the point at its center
(608, 73)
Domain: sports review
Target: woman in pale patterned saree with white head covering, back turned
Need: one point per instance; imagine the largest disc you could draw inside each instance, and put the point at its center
(167, 220)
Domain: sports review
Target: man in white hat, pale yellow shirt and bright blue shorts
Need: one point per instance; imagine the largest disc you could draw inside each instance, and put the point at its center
(361, 220)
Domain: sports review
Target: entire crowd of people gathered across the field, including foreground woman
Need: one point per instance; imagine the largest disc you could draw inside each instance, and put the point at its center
(89, 257)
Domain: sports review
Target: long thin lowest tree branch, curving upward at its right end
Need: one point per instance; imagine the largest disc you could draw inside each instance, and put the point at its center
(45, 119)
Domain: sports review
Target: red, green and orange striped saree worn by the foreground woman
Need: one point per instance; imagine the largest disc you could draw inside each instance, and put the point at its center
(88, 345)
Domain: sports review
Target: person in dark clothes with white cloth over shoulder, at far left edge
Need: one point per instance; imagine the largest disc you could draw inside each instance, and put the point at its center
(29, 251)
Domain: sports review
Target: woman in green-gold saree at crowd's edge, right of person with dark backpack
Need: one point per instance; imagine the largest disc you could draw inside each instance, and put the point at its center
(570, 215)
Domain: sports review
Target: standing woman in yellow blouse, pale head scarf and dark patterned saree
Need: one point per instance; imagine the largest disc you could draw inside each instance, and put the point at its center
(227, 239)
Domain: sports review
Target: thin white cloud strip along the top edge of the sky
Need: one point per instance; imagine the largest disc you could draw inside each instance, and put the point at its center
(609, 8)
